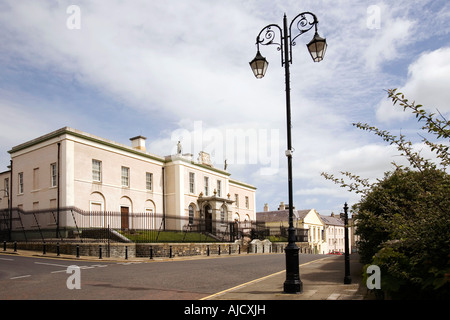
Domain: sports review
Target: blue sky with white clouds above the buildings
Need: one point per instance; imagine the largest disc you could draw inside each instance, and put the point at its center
(177, 70)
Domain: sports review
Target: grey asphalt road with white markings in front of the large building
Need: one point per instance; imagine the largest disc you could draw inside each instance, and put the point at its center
(178, 279)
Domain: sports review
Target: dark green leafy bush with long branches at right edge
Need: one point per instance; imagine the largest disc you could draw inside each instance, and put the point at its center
(403, 219)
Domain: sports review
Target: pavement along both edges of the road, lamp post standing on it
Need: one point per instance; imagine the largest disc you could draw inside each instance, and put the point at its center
(322, 279)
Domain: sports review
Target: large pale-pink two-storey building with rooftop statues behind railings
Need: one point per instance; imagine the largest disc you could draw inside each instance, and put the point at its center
(69, 168)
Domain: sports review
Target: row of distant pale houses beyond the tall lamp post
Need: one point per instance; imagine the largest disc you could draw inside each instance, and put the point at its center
(324, 234)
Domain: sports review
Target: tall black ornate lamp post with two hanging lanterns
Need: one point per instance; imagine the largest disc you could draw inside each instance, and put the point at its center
(302, 23)
